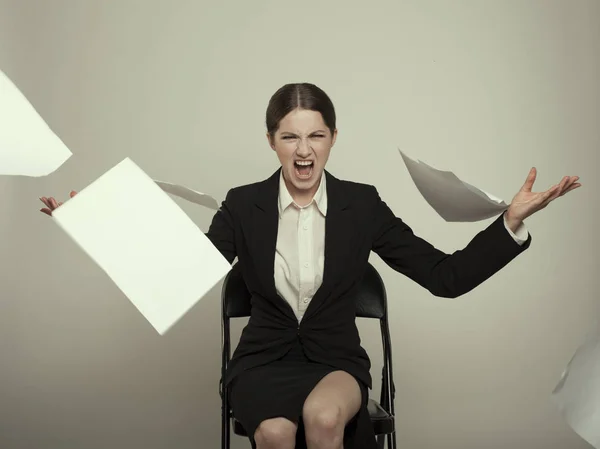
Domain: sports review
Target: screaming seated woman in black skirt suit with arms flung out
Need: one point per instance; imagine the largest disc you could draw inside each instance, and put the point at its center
(303, 239)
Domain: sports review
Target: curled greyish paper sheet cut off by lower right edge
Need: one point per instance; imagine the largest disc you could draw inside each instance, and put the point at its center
(578, 391)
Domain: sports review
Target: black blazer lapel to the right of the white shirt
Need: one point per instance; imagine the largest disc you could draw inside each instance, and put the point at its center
(338, 238)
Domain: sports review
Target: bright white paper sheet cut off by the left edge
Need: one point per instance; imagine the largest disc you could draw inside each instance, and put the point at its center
(28, 147)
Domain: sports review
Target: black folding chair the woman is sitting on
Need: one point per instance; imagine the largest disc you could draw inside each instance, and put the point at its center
(371, 302)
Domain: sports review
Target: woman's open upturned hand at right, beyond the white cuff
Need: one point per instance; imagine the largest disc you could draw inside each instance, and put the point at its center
(526, 203)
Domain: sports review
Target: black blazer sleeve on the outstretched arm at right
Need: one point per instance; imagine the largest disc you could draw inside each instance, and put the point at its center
(444, 275)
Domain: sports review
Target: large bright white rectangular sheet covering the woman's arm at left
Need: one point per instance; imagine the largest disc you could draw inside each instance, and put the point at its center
(144, 242)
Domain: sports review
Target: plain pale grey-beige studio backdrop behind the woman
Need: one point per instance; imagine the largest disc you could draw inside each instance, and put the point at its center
(486, 89)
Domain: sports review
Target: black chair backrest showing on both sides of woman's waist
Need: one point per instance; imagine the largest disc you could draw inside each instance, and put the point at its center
(371, 298)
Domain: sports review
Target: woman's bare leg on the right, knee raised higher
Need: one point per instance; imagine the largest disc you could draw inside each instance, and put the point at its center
(334, 401)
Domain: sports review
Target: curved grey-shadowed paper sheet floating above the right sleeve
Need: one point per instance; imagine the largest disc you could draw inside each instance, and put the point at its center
(452, 198)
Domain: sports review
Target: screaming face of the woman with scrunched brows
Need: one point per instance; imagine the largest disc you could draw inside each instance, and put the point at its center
(302, 143)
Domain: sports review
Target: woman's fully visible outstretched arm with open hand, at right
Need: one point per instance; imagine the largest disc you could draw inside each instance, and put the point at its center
(452, 275)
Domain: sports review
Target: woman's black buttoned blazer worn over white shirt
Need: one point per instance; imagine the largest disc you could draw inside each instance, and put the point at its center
(357, 222)
